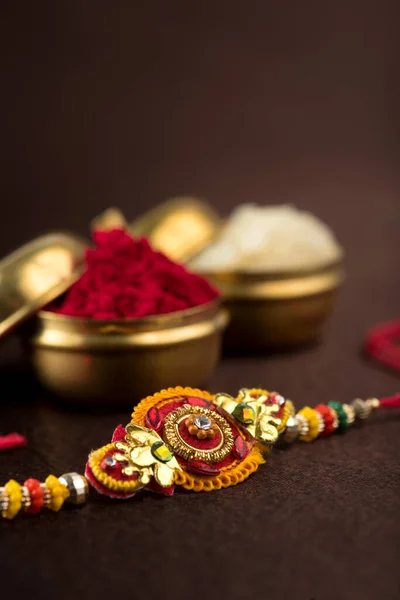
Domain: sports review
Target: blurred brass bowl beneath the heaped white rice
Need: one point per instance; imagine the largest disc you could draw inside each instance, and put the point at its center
(277, 310)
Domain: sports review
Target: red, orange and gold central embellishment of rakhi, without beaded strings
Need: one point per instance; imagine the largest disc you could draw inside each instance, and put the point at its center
(187, 437)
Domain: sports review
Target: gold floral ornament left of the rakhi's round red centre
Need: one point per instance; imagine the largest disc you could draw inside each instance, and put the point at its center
(145, 453)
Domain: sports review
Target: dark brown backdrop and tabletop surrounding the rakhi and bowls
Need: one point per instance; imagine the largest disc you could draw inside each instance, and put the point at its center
(126, 103)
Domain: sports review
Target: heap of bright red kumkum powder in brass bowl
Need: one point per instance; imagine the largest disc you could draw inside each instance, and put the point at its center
(126, 279)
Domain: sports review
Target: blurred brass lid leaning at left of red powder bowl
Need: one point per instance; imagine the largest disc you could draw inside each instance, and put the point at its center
(36, 274)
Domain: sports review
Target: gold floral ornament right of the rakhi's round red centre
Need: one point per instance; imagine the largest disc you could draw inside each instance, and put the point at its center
(260, 419)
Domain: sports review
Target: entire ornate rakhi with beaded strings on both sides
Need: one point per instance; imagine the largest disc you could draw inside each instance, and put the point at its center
(191, 439)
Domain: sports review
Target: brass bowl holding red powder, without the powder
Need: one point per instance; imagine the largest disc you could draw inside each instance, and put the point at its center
(118, 362)
